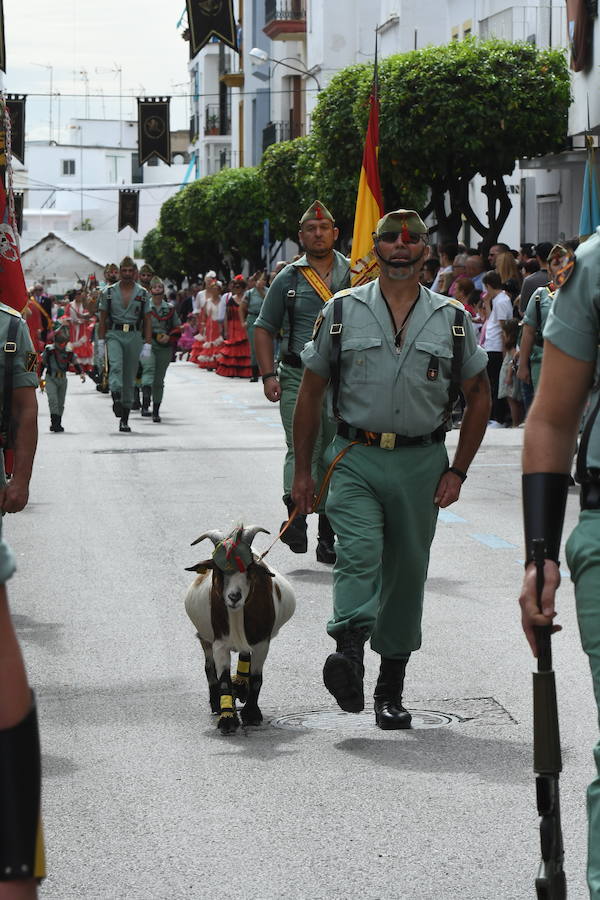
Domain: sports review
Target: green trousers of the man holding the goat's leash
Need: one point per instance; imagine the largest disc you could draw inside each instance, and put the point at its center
(381, 508)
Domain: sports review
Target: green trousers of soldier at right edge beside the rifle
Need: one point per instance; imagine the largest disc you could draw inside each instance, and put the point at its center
(583, 558)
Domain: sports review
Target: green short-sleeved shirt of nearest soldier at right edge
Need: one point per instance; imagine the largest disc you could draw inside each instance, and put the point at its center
(574, 323)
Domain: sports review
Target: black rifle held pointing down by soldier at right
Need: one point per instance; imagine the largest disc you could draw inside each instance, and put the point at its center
(550, 883)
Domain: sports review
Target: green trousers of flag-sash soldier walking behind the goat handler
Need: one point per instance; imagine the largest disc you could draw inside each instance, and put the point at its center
(289, 379)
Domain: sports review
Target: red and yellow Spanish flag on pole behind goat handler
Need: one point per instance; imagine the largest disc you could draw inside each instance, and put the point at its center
(369, 202)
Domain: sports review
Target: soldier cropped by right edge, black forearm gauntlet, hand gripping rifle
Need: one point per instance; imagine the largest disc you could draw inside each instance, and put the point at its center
(571, 369)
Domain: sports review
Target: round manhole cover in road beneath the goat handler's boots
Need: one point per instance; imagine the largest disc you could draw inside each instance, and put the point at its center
(471, 711)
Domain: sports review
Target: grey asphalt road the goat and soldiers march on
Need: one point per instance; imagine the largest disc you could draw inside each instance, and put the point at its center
(143, 798)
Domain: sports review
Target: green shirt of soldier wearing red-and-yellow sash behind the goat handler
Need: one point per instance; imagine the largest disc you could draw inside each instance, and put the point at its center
(307, 304)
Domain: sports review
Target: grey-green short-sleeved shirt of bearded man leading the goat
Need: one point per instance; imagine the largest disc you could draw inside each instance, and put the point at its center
(384, 389)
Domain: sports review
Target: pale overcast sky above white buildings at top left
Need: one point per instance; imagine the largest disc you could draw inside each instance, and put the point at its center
(79, 37)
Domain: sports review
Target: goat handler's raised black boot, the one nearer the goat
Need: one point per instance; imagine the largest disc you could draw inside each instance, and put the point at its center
(344, 671)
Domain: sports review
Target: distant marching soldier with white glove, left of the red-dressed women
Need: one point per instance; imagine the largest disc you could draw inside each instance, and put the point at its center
(126, 327)
